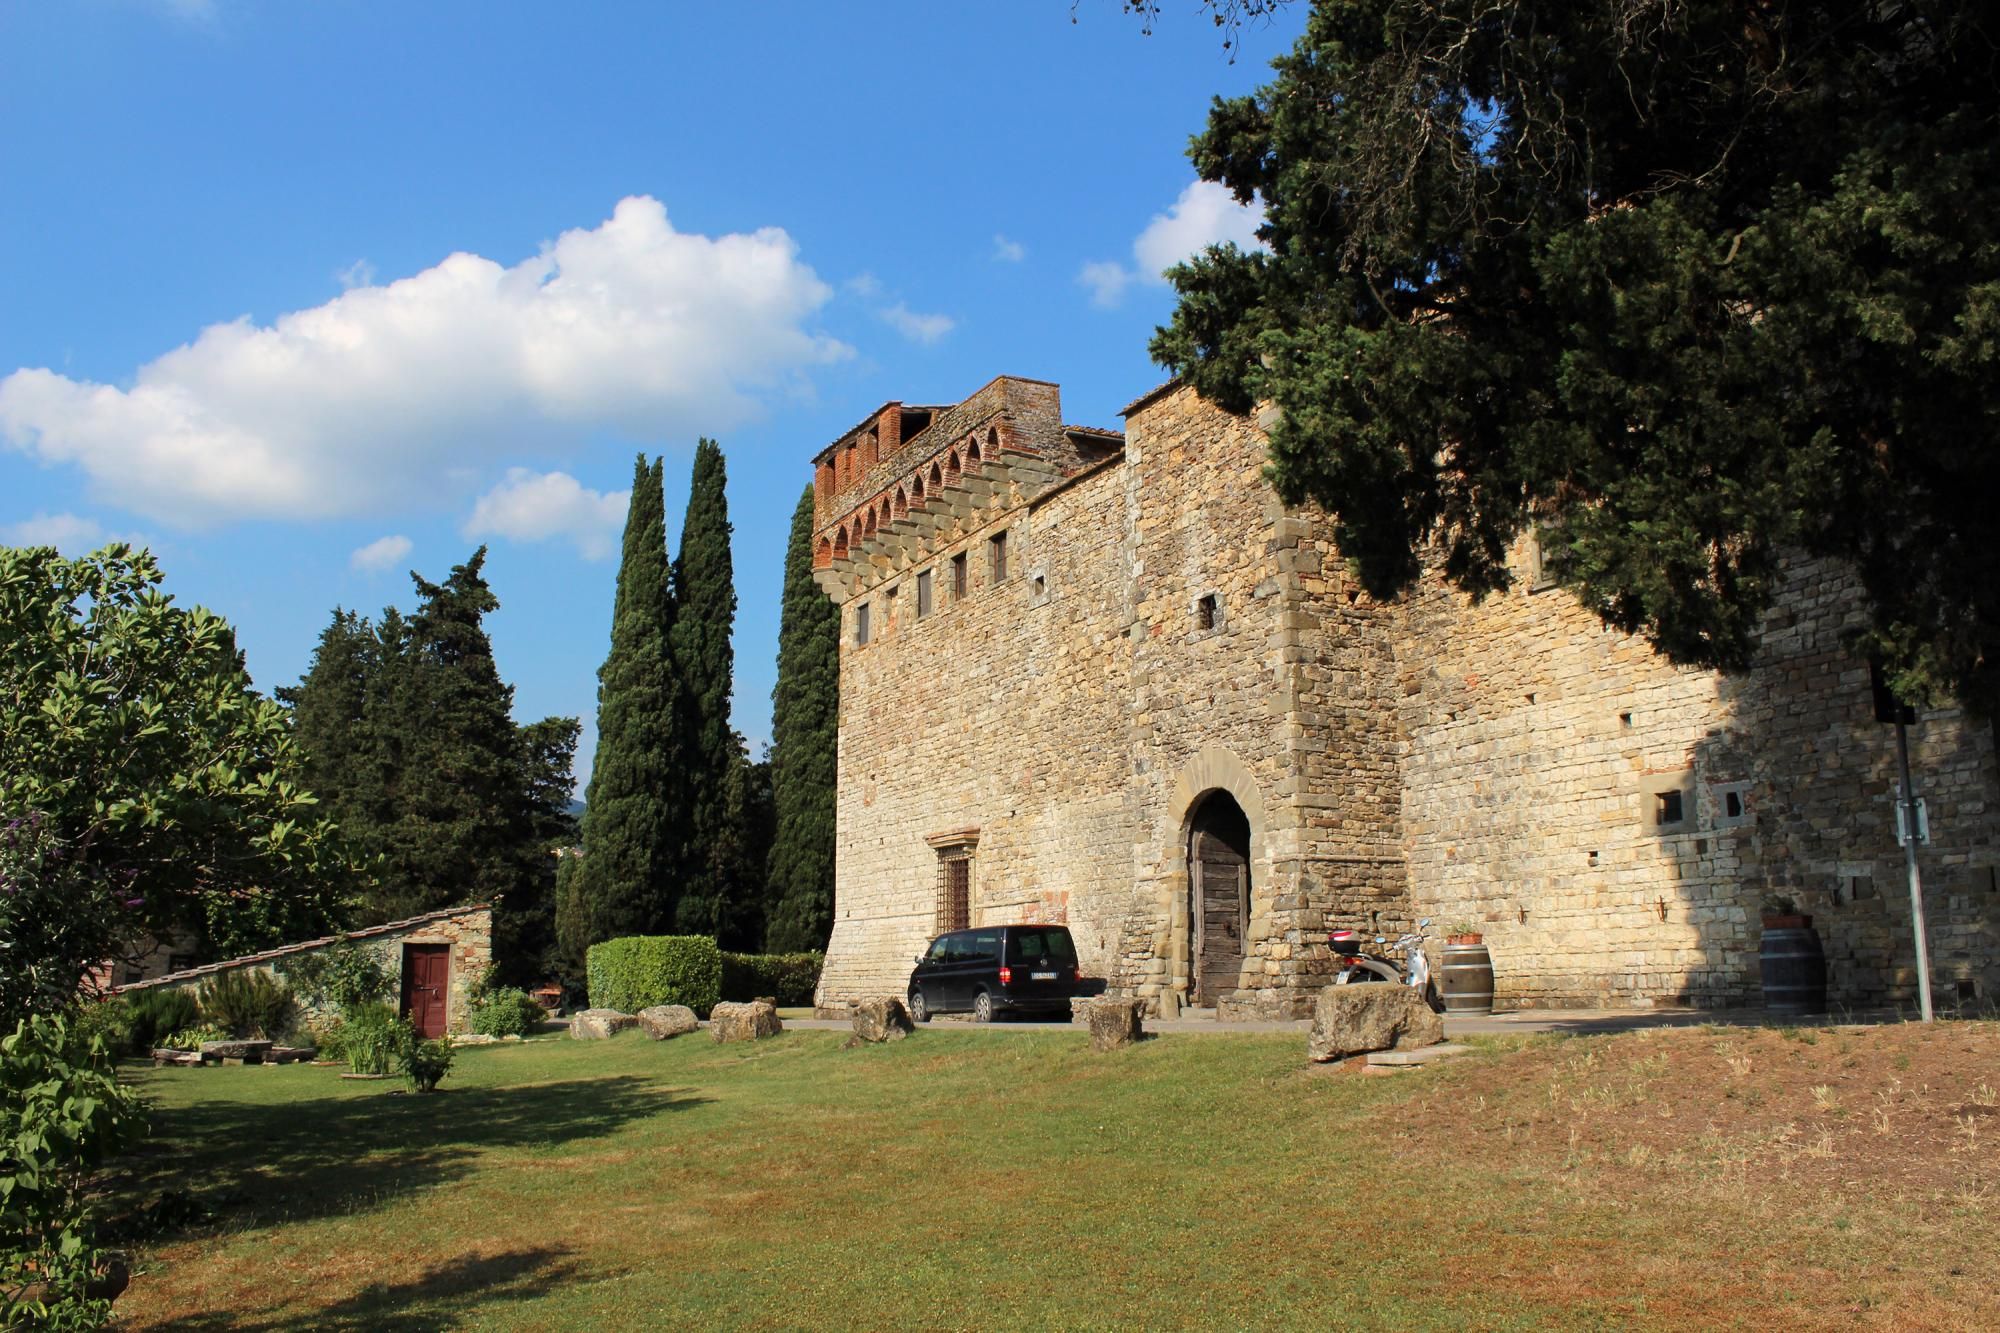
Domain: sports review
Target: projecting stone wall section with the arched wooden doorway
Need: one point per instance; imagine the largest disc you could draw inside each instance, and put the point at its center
(1281, 704)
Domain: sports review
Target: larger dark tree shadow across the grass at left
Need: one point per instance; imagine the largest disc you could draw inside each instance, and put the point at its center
(253, 1164)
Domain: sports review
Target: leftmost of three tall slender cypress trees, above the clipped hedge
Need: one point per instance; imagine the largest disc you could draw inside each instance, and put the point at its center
(635, 808)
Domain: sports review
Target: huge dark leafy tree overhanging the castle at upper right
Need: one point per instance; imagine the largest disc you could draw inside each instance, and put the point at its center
(1679, 283)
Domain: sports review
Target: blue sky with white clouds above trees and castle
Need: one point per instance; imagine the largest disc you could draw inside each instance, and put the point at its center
(309, 295)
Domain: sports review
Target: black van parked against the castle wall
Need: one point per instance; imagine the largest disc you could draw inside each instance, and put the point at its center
(997, 970)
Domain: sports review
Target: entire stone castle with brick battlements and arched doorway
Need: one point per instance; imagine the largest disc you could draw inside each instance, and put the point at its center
(1113, 682)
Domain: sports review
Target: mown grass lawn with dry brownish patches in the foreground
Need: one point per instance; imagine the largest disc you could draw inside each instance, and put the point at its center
(1703, 1178)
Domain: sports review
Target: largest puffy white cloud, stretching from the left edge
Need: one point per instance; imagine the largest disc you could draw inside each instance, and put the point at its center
(389, 391)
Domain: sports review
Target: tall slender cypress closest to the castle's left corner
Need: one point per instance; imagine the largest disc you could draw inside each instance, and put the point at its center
(805, 728)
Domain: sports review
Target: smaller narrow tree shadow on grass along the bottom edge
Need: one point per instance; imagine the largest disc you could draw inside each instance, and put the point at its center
(455, 1294)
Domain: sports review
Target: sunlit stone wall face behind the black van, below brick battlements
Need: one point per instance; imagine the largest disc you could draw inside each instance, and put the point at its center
(999, 714)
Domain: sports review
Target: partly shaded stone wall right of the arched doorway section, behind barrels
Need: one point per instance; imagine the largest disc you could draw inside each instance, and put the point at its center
(1541, 748)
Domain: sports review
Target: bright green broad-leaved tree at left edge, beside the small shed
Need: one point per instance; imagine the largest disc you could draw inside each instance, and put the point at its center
(145, 788)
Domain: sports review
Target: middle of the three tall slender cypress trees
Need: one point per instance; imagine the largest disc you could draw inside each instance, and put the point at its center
(705, 617)
